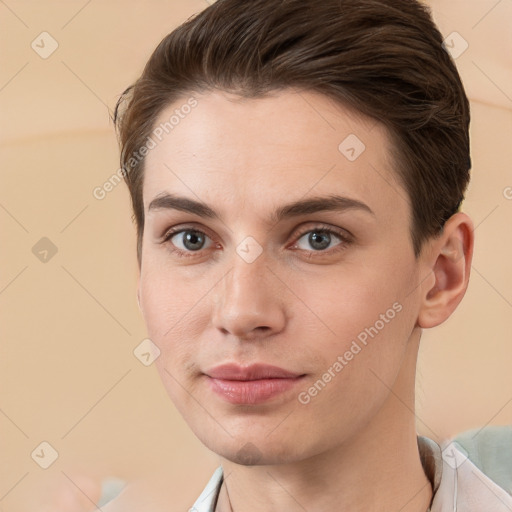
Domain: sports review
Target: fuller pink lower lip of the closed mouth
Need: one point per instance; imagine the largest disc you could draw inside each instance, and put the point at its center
(250, 392)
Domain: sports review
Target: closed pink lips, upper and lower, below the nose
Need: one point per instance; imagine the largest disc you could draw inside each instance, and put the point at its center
(251, 385)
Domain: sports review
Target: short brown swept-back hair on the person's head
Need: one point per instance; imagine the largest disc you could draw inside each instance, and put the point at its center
(384, 58)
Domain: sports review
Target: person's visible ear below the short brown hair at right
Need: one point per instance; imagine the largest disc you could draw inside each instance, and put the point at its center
(449, 259)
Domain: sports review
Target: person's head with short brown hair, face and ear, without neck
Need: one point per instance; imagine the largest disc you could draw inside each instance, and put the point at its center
(296, 171)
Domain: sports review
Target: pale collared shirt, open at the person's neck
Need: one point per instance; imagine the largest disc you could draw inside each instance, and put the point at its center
(455, 469)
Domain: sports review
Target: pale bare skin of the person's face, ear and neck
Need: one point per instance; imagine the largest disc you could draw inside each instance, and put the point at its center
(353, 447)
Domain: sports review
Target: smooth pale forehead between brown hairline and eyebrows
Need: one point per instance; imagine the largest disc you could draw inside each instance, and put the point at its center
(234, 151)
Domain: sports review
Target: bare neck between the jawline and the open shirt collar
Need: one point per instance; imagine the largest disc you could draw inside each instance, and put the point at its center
(378, 469)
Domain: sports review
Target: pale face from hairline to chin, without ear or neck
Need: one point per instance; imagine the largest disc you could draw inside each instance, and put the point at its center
(235, 273)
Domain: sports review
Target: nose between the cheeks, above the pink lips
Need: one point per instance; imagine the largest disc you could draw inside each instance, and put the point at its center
(249, 301)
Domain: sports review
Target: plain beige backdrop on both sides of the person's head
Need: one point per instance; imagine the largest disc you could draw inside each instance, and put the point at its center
(69, 326)
